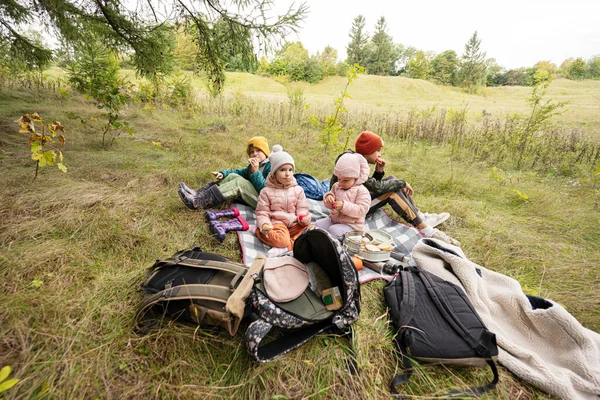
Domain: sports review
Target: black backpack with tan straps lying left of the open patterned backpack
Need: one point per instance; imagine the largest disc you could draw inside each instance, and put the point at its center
(191, 286)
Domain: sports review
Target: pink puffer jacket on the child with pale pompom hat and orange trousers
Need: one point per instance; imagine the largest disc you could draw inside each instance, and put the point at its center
(279, 204)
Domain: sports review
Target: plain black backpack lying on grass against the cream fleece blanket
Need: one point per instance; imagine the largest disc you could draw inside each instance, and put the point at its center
(436, 323)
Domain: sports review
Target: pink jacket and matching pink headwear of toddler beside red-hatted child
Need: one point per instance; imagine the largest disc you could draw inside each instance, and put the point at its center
(357, 199)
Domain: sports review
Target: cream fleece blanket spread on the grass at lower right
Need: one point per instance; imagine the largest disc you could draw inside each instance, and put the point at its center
(546, 347)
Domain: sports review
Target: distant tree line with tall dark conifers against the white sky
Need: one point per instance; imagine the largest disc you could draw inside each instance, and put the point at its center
(379, 55)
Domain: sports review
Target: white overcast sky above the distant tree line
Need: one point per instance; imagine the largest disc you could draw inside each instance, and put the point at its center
(517, 33)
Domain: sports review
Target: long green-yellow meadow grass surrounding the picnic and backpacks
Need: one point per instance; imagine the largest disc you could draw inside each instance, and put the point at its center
(89, 234)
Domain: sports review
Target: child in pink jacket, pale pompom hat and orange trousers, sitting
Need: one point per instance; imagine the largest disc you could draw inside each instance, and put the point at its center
(282, 211)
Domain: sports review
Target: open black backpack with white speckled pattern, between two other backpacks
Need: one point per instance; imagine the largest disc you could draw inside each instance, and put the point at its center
(301, 319)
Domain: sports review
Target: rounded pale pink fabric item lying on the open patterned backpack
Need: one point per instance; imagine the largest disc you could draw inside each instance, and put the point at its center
(285, 278)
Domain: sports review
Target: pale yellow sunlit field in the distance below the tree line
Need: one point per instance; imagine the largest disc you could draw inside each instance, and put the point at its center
(380, 94)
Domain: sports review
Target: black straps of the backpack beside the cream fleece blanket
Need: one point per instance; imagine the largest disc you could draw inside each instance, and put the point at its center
(444, 309)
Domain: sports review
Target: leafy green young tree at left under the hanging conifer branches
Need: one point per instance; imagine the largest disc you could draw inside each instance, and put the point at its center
(94, 72)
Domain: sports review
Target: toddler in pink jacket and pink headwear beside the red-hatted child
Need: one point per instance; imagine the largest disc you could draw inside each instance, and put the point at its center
(348, 199)
